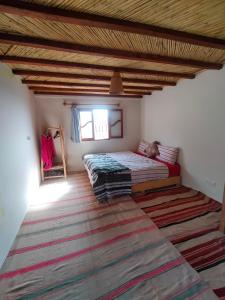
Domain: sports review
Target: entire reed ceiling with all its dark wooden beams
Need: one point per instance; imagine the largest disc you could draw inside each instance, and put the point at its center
(64, 47)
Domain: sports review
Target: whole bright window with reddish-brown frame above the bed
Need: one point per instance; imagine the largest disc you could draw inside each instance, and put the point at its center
(101, 124)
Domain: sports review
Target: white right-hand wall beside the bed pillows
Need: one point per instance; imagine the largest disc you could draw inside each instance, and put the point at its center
(192, 117)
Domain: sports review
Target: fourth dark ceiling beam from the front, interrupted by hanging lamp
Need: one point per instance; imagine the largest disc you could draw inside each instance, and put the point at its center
(87, 77)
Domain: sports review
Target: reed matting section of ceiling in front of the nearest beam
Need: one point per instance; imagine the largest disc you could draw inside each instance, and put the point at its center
(203, 17)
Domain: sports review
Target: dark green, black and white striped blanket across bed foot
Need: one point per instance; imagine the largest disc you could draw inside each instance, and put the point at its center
(109, 178)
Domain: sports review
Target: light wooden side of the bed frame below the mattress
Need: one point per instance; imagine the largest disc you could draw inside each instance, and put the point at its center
(156, 184)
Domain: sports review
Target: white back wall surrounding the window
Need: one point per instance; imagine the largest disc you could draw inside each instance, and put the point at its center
(51, 112)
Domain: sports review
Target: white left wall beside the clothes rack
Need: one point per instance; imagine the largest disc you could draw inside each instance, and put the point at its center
(19, 176)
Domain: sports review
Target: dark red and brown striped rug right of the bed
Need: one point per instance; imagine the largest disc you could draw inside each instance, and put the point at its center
(190, 220)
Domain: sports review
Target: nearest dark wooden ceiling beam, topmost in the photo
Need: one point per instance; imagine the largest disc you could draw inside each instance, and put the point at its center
(32, 10)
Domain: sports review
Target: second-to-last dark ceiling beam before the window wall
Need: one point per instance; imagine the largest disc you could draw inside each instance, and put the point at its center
(51, 89)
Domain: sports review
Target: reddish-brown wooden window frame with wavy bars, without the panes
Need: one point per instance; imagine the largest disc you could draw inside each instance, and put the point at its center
(109, 125)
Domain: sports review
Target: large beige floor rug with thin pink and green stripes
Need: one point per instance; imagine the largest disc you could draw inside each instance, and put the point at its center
(78, 248)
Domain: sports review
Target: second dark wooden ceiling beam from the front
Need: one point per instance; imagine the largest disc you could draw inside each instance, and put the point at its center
(34, 42)
